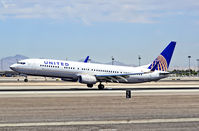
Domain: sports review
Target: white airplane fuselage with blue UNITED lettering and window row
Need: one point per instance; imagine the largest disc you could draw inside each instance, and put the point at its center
(70, 71)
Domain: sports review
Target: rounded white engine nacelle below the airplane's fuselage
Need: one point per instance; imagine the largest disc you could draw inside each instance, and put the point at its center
(87, 79)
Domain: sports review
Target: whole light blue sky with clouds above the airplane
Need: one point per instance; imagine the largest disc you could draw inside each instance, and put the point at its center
(73, 29)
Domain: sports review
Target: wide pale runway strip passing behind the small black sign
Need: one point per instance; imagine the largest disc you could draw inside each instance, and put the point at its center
(8, 94)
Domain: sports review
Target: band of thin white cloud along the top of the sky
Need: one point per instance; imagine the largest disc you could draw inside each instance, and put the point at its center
(89, 11)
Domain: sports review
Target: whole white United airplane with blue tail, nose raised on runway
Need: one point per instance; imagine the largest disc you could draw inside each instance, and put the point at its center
(92, 73)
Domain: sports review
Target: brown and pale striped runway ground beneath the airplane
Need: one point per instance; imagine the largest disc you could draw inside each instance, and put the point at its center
(80, 108)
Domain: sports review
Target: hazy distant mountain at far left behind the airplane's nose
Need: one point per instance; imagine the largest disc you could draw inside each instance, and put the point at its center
(7, 61)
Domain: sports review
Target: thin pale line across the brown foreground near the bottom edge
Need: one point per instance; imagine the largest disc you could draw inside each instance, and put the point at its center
(76, 123)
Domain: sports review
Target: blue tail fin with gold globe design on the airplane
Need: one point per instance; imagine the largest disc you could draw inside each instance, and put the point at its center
(163, 60)
